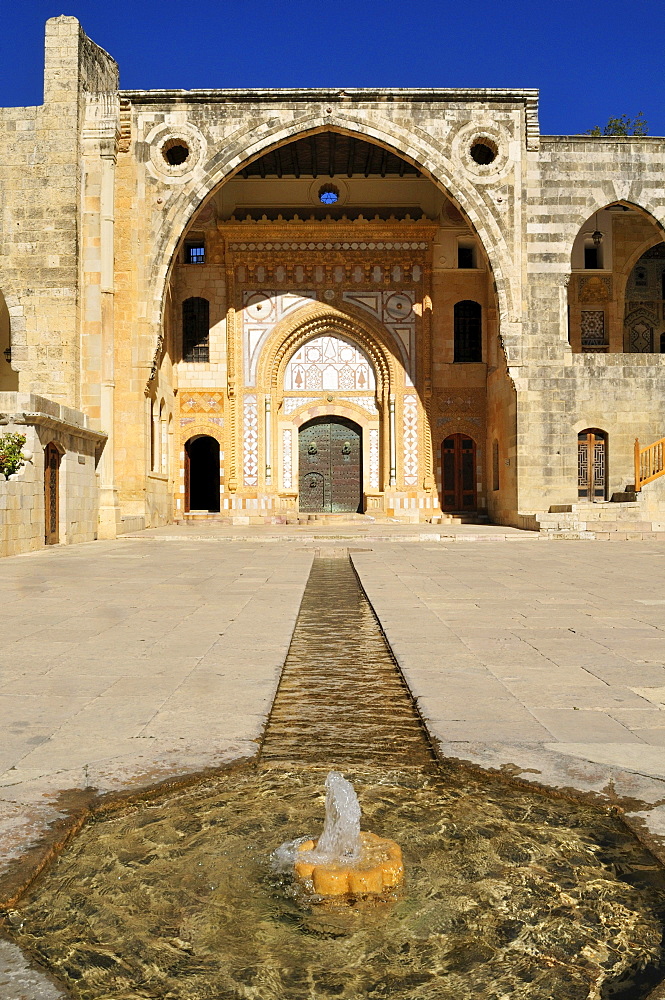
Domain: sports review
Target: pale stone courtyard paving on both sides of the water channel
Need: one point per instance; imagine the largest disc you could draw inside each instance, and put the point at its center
(129, 662)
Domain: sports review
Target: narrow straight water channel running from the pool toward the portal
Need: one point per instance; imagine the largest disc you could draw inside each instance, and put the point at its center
(341, 700)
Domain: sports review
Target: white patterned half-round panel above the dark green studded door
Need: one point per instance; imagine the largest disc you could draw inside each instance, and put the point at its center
(328, 363)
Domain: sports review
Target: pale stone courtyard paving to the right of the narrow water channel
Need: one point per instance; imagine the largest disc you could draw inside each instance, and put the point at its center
(571, 697)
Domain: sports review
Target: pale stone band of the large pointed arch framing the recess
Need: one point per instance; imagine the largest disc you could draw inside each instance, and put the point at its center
(412, 144)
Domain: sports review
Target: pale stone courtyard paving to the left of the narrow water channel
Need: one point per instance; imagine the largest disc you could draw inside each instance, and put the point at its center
(165, 663)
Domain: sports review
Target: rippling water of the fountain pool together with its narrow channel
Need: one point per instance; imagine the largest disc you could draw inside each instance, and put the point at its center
(508, 892)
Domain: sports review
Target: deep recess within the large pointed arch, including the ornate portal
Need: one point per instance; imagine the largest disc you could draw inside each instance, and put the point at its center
(324, 350)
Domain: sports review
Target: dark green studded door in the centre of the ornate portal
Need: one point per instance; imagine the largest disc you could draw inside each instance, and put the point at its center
(330, 464)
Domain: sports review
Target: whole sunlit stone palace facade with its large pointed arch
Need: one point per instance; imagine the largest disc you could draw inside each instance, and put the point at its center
(274, 304)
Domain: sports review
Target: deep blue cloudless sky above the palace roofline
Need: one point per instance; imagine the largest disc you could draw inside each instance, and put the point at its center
(589, 59)
